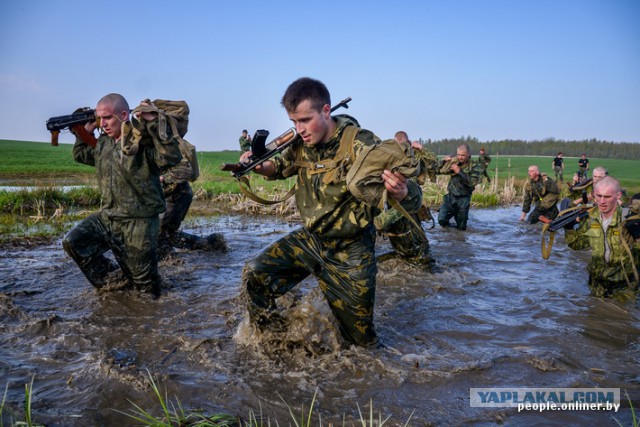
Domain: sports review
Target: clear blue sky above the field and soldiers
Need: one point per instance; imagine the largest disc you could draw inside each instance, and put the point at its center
(486, 69)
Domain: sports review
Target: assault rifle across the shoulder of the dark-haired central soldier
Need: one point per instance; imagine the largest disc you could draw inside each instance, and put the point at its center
(261, 152)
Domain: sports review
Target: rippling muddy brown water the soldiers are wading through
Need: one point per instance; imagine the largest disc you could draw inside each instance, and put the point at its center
(494, 314)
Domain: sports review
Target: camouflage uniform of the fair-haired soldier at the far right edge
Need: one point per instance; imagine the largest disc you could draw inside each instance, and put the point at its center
(606, 277)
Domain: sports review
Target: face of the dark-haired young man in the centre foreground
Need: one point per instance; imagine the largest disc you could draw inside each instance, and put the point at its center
(312, 125)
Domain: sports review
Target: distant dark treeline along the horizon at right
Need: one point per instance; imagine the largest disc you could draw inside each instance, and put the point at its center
(548, 147)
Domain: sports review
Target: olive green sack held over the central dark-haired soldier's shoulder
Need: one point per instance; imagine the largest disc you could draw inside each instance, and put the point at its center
(364, 179)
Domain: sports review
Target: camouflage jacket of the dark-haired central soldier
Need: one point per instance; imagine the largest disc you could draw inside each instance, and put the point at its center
(329, 209)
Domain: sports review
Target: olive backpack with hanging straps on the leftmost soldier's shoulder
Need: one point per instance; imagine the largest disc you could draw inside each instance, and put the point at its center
(176, 114)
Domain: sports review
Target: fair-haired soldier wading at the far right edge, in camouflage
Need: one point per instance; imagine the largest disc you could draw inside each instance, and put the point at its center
(615, 255)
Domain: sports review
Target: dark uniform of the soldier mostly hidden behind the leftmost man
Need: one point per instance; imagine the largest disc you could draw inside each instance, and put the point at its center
(178, 196)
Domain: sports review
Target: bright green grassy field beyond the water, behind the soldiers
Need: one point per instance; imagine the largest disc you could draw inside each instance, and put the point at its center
(41, 161)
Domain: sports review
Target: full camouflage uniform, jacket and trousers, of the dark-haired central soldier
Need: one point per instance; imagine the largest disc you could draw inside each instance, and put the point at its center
(336, 243)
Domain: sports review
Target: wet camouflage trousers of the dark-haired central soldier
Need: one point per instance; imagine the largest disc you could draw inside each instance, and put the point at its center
(346, 273)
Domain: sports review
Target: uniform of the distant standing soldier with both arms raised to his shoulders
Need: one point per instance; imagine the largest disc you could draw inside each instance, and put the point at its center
(457, 201)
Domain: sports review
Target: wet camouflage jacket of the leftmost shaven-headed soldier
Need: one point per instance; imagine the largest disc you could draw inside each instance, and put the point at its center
(130, 185)
